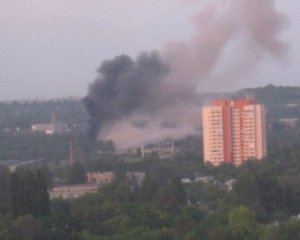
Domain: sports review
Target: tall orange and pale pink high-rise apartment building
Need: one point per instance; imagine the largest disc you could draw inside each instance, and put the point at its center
(233, 131)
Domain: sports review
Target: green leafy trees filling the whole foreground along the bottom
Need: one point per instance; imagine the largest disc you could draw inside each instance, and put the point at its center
(263, 204)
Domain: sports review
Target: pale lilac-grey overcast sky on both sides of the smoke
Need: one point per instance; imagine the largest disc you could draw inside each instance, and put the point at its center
(52, 48)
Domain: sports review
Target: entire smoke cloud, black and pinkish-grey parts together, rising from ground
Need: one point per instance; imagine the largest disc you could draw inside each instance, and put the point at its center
(158, 89)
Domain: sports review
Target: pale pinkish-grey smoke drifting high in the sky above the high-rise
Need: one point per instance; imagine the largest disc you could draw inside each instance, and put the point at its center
(234, 34)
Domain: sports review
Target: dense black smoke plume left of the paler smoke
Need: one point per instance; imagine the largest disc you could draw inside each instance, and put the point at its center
(124, 86)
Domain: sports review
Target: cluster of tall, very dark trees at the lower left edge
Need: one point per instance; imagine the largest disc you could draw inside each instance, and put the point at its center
(24, 192)
